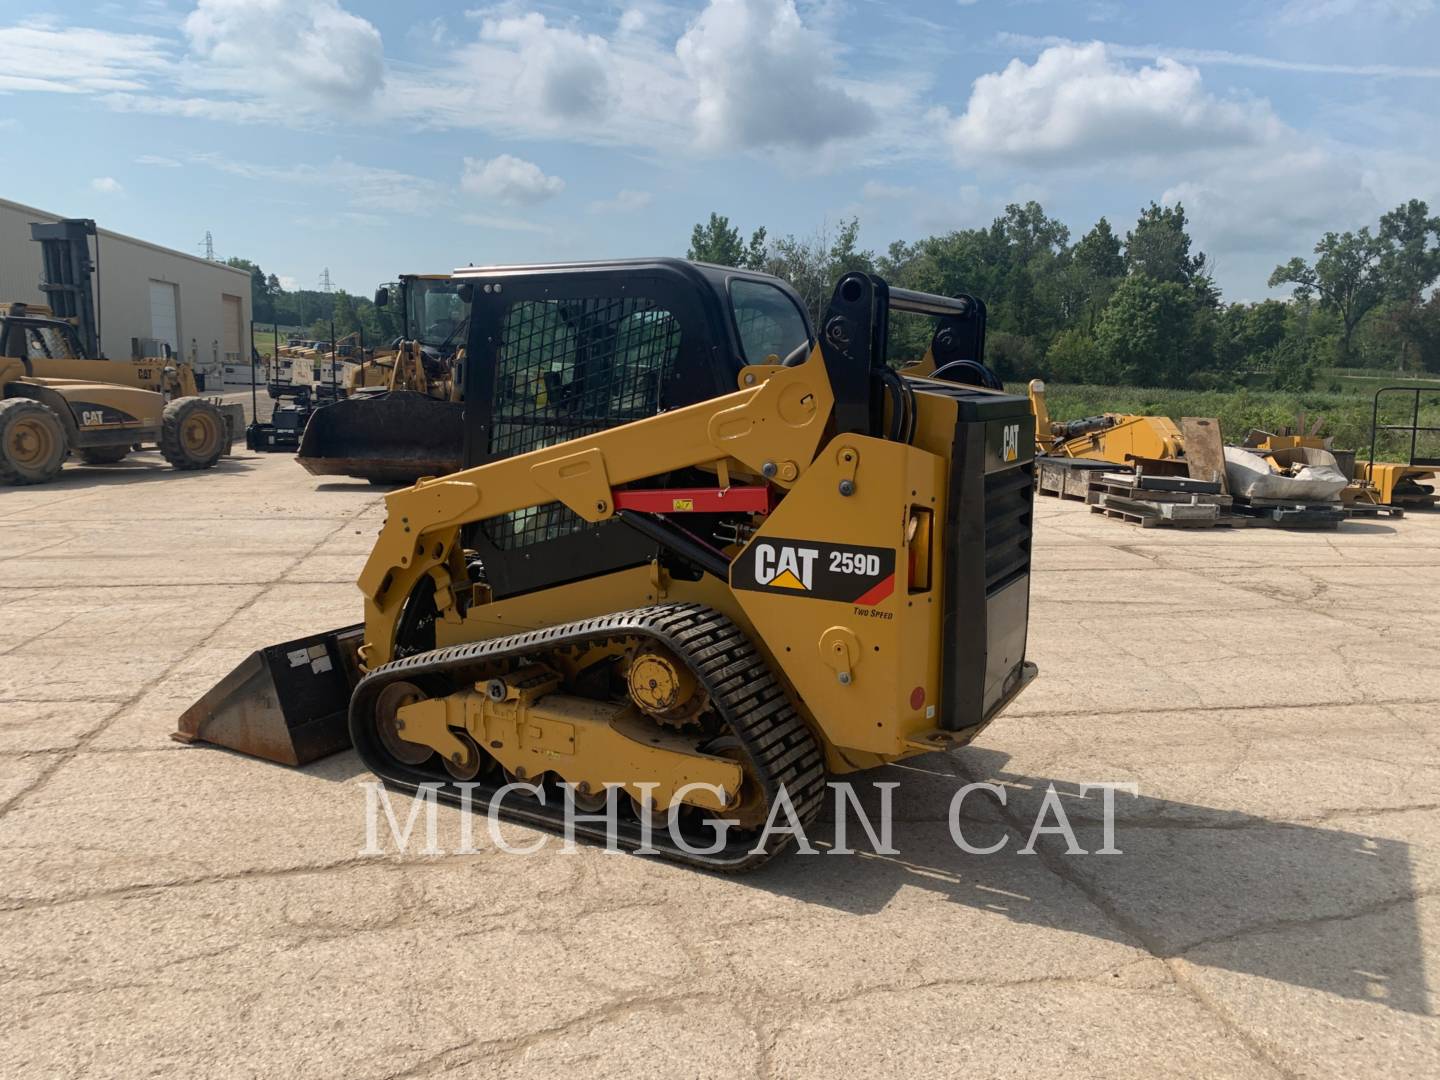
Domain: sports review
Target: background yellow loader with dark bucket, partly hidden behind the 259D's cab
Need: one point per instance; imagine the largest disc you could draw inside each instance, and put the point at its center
(402, 414)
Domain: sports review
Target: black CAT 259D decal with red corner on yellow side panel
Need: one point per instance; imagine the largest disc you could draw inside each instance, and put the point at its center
(826, 572)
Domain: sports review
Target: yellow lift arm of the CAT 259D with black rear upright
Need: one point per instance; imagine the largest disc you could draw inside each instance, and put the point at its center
(773, 427)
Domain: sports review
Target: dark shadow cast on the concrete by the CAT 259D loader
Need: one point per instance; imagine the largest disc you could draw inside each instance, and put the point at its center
(1193, 882)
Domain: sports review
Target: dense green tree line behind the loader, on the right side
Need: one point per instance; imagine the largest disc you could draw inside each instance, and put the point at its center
(1144, 309)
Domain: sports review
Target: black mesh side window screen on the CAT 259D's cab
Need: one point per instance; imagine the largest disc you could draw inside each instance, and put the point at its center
(572, 368)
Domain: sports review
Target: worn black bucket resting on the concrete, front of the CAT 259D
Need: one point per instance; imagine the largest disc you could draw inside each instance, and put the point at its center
(286, 703)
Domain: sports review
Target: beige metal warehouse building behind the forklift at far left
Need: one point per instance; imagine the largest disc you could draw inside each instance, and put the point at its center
(146, 294)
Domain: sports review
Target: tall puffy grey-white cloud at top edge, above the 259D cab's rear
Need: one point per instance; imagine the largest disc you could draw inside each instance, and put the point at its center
(762, 80)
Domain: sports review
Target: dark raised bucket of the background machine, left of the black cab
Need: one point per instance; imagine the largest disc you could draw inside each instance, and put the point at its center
(391, 437)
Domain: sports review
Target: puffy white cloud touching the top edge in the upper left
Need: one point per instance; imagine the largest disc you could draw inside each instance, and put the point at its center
(305, 53)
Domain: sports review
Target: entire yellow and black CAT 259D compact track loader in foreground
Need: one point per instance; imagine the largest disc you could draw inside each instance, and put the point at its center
(699, 555)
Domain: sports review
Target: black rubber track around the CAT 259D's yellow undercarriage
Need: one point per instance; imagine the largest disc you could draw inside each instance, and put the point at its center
(742, 689)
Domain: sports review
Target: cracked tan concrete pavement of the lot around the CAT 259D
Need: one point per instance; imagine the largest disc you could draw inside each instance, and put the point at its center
(174, 911)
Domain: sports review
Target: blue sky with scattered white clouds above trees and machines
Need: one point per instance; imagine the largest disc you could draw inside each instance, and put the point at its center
(379, 139)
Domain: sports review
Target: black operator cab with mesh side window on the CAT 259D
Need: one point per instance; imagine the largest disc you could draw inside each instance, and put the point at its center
(565, 351)
